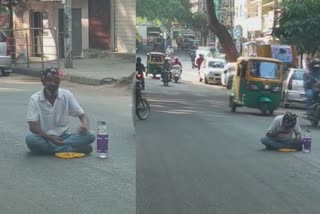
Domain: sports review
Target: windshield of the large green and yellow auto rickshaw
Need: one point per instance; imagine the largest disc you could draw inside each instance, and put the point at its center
(267, 70)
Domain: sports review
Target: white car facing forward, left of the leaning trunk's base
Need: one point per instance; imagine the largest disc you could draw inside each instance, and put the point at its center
(211, 70)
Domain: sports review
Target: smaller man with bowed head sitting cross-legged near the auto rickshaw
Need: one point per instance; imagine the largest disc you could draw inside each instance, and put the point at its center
(279, 134)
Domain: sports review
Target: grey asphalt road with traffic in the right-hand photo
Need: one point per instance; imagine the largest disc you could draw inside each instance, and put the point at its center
(195, 156)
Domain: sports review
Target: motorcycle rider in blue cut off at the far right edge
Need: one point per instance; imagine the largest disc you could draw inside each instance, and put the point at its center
(311, 83)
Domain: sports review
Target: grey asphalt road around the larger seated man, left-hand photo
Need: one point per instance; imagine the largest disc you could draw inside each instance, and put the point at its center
(48, 185)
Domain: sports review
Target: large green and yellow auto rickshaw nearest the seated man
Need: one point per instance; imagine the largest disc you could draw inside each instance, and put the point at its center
(257, 84)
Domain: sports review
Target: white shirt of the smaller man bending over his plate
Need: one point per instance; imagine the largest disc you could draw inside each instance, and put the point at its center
(276, 126)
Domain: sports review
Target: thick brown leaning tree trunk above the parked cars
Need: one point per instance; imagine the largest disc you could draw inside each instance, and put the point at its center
(221, 32)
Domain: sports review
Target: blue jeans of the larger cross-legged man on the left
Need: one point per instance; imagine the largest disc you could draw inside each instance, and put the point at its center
(39, 145)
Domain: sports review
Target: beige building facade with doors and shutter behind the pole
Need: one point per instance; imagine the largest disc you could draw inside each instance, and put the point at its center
(106, 25)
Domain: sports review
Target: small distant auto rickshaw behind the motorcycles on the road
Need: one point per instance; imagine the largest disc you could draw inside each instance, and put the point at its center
(155, 60)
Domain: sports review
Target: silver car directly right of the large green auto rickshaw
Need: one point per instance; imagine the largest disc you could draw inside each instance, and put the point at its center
(292, 89)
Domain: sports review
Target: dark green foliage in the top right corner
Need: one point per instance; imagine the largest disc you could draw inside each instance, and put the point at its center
(299, 24)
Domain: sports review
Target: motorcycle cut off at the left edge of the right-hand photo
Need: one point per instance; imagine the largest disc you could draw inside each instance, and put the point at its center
(142, 105)
